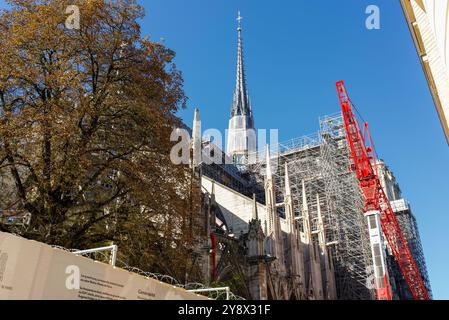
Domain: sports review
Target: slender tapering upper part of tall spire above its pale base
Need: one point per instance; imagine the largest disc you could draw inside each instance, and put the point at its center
(241, 105)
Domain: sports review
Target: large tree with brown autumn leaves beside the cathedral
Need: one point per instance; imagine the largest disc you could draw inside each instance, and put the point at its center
(85, 120)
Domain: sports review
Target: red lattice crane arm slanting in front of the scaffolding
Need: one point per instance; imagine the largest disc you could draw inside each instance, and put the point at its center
(363, 159)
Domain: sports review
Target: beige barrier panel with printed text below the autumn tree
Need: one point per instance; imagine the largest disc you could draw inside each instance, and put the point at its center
(36, 271)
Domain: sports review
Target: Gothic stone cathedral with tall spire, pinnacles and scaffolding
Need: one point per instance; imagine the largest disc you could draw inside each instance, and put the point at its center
(290, 225)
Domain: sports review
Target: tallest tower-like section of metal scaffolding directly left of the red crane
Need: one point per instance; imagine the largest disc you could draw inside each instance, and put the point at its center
(347, 225)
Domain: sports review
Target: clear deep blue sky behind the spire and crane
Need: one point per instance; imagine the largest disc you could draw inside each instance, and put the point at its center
(295, 51)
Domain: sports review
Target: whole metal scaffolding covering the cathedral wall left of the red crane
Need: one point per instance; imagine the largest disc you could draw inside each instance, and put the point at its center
(322, 161)
